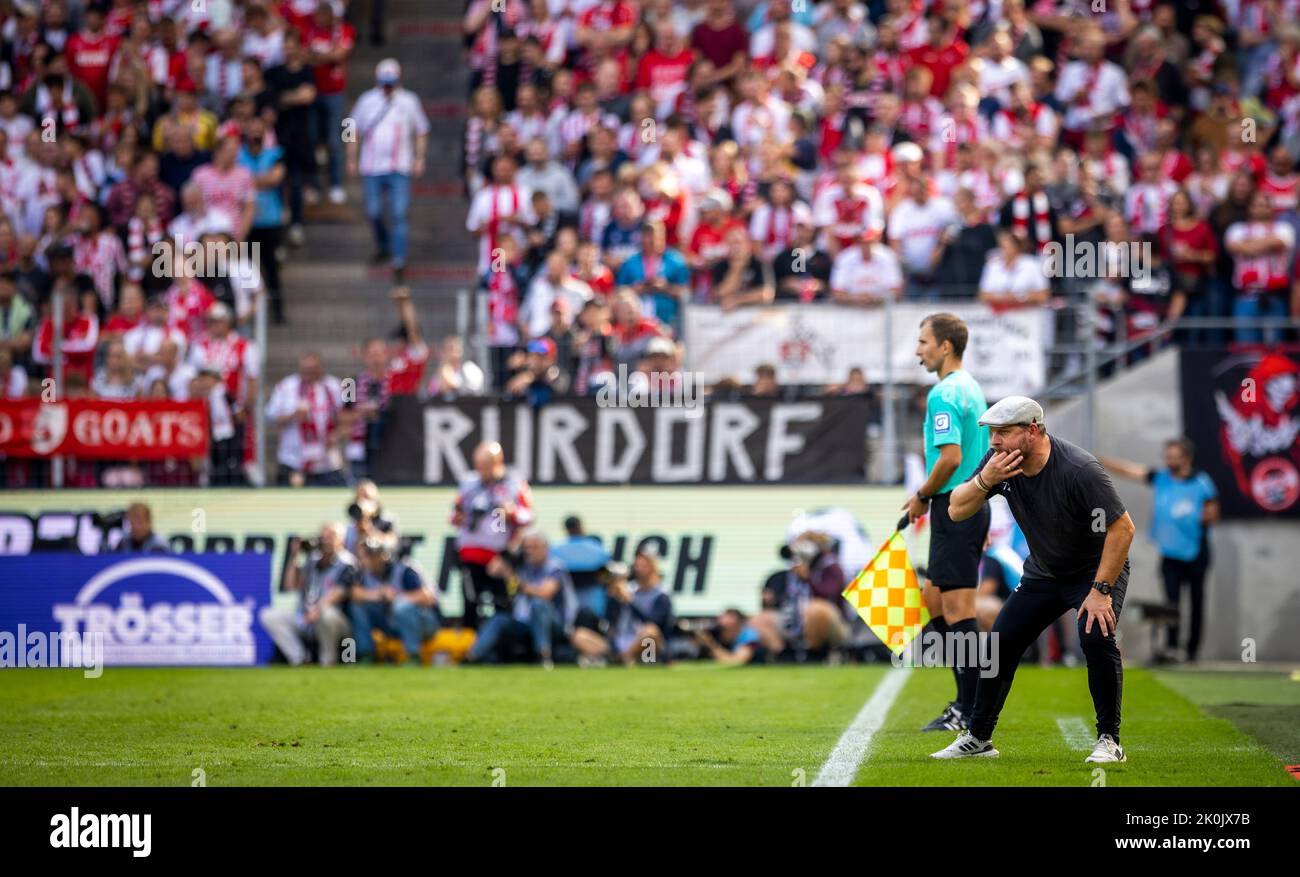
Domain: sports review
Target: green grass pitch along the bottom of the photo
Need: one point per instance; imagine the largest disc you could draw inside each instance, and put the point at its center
(679, 726)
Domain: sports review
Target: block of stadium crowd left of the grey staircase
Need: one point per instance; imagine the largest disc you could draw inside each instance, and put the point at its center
(155, 162)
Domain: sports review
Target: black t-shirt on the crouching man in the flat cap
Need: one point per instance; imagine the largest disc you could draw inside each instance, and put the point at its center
(1064, 513)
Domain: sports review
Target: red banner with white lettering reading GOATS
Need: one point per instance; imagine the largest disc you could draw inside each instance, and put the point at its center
(102, 429)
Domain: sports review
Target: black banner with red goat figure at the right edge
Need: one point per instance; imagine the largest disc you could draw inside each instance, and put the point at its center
(1242, 413)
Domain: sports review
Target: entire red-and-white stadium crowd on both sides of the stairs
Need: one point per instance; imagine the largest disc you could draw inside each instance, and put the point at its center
(622, 162)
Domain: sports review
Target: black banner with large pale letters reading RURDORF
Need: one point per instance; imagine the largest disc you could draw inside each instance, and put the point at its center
(580, 441)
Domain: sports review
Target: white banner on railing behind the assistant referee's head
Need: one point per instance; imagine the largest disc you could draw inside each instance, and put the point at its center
(818, 344)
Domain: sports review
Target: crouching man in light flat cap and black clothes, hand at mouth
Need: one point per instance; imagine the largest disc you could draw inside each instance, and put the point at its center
(1080, 535)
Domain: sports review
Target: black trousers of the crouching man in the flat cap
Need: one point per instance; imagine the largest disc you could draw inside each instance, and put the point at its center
(1032, 609)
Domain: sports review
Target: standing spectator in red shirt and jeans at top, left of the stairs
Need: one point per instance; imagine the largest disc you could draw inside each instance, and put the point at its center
(330, 44)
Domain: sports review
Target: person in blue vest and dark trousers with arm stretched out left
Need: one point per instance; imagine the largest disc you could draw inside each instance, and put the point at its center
(1185, 506)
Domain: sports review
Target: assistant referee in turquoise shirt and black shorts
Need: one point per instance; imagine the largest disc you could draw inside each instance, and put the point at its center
(955, 444)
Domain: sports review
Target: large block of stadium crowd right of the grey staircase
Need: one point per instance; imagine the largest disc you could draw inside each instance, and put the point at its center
(626, 159)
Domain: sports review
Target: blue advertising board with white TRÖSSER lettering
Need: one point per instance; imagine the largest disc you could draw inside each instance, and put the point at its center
(150, 610)
